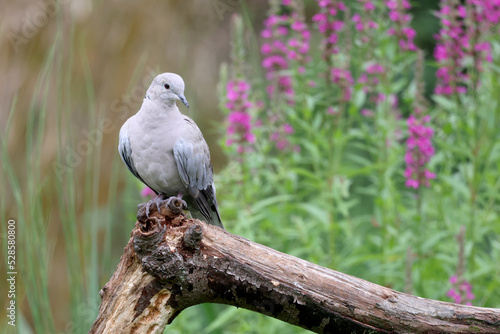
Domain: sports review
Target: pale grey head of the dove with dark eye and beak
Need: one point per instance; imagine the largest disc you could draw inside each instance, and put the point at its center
(167, 88)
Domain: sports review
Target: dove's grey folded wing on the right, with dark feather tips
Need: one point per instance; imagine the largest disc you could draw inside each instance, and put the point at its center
(193, 163)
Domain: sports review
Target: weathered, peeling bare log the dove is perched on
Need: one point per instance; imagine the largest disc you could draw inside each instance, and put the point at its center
(172, 262)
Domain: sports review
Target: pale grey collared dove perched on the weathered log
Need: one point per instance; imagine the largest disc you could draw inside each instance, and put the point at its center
(166, 150)
